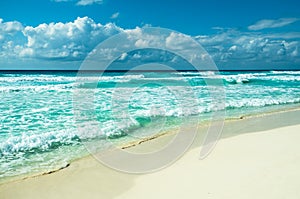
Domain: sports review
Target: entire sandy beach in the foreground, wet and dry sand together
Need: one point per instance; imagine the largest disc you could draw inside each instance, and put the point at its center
(257, 157)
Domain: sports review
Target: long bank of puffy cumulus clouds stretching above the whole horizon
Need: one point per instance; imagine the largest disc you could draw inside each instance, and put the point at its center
(72, 41)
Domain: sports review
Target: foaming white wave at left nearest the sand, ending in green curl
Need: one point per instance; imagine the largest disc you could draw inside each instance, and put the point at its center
(39, 143)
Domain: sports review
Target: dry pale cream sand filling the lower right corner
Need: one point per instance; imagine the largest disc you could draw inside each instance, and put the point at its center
(260, 165)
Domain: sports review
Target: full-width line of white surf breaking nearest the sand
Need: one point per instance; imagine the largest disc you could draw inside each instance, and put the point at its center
(112, 129)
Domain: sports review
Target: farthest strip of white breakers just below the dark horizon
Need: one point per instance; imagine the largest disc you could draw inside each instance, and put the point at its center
(108, 81)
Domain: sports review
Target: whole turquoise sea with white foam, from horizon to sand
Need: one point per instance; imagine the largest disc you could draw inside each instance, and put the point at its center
(39, 130)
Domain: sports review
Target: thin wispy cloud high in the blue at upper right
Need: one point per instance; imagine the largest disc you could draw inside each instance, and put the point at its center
(269, 23)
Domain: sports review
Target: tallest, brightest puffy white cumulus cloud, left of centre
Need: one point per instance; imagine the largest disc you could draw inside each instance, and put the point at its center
(72, 40)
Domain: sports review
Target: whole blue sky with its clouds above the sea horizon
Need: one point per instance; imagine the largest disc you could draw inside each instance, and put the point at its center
(237, 34)
